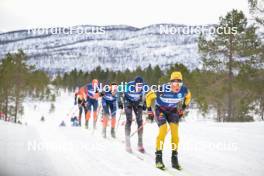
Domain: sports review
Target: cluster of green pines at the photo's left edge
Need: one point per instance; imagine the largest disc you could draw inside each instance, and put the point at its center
(19, 81)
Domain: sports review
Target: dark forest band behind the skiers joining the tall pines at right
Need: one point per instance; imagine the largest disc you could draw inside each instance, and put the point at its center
(231, 80)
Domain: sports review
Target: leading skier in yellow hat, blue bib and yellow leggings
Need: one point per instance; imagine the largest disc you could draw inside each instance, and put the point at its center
(170, 103)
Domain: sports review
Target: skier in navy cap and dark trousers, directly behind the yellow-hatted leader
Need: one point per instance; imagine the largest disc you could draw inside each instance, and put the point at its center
(134, 102)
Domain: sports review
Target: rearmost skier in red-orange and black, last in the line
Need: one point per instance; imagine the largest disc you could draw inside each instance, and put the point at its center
(80, 99)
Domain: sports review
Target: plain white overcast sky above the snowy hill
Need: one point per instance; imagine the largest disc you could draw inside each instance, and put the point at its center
(23, 14)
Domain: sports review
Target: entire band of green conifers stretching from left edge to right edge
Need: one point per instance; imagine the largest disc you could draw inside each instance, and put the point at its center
(231, 80)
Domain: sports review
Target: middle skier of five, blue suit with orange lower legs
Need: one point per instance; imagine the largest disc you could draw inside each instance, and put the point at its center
(109, 104)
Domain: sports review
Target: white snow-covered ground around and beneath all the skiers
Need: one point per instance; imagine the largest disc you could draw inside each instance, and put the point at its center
(43, 148)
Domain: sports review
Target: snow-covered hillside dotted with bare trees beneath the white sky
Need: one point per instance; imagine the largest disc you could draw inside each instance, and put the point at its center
(118, 48)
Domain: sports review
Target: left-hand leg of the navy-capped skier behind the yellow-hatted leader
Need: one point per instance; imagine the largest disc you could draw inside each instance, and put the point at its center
(128, 112)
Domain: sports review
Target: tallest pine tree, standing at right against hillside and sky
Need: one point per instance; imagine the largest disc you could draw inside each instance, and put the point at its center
(225, 52)
